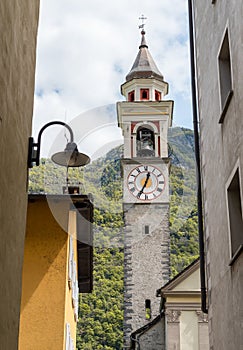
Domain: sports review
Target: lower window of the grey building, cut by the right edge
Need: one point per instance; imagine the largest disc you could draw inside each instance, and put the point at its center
(235, 215)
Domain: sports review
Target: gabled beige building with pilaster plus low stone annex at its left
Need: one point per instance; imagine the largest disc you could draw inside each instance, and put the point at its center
(181, 324)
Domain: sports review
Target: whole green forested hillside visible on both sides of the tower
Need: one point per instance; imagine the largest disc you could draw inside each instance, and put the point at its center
(100, 313)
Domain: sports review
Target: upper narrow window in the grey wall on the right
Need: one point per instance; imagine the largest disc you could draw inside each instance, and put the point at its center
(225, 79)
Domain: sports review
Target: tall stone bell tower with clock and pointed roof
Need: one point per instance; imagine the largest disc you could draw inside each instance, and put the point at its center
(144, 118)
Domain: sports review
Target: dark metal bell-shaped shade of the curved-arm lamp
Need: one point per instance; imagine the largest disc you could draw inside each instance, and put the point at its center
(70, 157)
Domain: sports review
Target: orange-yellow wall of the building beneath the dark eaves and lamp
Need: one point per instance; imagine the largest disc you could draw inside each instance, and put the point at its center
(46, 300)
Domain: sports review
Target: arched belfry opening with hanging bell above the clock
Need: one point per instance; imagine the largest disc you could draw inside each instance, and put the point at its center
(145, 142)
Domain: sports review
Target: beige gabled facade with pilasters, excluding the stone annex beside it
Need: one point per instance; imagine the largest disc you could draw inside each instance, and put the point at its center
(186, 325)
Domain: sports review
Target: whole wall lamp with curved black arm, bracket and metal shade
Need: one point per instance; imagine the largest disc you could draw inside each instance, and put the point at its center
(70, 157)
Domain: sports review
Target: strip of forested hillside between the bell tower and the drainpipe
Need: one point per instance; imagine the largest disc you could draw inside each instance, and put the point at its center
(183, 205)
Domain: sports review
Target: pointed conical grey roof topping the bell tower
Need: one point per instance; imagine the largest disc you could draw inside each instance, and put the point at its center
(144, 65)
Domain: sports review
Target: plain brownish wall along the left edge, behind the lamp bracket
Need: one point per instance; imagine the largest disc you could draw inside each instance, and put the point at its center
(18, 31)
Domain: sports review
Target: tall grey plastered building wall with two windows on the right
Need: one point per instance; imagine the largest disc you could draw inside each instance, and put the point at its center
(218, 30)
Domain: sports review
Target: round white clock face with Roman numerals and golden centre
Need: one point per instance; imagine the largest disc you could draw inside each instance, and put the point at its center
(146, 182)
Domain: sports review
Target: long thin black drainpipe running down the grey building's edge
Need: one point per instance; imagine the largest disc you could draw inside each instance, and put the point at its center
(198, 167)
